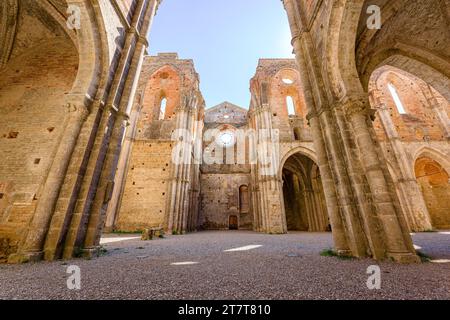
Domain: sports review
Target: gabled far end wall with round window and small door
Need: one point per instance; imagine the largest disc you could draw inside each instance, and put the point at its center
(221, 180)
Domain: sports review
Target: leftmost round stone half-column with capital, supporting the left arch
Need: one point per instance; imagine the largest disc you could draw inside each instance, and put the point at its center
(32, 247)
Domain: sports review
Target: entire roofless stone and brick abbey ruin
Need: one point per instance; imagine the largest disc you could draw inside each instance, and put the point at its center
(350, 137)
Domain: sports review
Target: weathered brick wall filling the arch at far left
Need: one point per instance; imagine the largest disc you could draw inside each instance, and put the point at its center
(32, 120)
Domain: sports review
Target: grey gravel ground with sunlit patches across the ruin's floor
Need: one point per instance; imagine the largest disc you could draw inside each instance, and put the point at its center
(284, 267)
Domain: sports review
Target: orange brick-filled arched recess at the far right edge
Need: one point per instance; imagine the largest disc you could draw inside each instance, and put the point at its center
(435, 186)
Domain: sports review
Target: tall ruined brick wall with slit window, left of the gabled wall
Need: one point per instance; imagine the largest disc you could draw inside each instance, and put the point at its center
(157, 191)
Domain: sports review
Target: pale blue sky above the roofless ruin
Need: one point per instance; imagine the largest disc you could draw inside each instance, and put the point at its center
(225, 38)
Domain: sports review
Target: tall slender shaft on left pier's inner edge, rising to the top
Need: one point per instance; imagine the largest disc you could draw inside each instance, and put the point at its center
(136, 45)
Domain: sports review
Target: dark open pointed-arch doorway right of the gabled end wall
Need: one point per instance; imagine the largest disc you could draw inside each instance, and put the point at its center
(303, 195)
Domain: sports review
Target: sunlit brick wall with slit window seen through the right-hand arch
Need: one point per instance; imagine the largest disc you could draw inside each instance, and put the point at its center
(410, 113)
